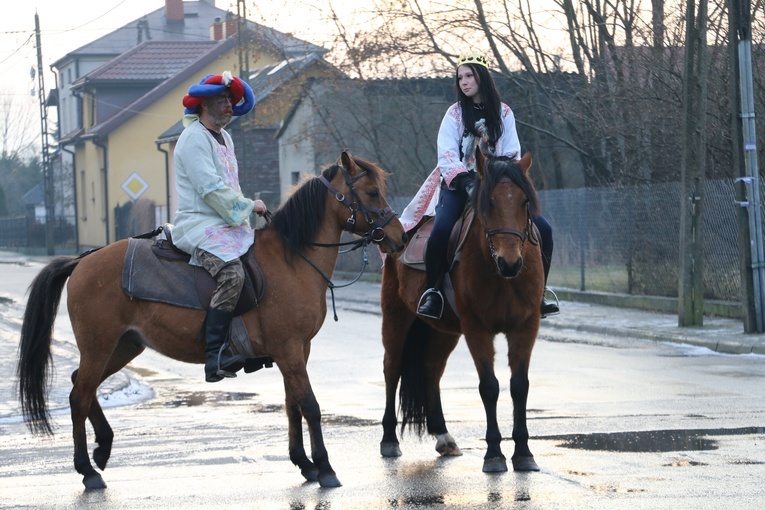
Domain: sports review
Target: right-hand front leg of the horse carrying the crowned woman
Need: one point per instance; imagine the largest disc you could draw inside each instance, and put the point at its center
(522, 458)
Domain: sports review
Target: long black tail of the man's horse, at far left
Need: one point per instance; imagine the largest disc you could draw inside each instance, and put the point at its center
(35, 343)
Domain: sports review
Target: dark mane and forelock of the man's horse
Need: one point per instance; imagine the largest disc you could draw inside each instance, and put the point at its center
(300, 217)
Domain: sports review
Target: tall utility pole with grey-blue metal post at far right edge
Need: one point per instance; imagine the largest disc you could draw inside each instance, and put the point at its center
(752, 261)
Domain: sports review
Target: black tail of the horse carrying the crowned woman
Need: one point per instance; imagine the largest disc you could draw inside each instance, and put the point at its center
(413, 390)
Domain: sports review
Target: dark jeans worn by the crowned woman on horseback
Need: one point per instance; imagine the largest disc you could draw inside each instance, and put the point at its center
(450, 205)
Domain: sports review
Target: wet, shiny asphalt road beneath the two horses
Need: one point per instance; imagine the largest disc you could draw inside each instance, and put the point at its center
(616, 422)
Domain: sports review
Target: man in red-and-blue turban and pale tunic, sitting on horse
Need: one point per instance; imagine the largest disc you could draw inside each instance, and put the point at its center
(212, 222)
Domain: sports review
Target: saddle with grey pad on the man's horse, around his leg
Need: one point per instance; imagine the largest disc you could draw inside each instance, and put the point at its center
(159, 271)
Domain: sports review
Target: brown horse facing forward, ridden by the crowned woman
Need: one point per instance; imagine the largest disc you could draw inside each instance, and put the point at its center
(498, 285)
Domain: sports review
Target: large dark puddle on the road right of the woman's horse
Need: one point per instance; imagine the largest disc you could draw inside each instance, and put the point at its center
(651, 440)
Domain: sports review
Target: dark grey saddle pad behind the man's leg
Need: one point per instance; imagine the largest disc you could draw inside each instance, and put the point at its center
(147, 277)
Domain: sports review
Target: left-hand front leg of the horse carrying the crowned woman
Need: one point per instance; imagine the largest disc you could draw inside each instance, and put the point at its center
(482, 349)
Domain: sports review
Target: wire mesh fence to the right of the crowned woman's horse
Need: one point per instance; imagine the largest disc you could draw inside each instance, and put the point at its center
(626, 239)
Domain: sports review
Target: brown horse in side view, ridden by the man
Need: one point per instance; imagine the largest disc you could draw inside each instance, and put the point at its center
(297, 253)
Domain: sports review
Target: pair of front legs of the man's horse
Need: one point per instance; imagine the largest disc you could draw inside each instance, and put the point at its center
(302, 401)
